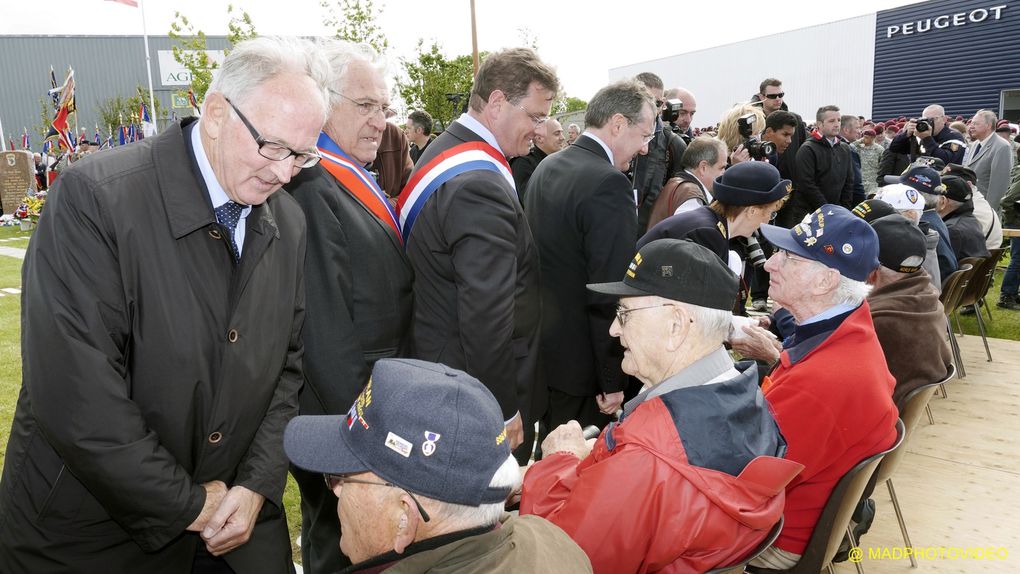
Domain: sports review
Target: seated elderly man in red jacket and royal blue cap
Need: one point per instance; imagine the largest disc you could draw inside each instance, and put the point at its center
(832, 392)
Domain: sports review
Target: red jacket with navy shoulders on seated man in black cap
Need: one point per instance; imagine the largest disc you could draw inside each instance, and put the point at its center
(638, 504)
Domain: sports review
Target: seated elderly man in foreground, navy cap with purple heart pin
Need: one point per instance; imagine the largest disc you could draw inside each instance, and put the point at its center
(422, 467)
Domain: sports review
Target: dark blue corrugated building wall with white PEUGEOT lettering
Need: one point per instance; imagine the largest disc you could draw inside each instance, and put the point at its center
(954, 61)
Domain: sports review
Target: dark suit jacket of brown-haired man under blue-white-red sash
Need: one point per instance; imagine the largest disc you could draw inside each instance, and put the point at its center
(476, 267)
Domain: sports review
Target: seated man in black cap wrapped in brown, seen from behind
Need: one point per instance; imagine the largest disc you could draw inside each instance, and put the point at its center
(905, 308)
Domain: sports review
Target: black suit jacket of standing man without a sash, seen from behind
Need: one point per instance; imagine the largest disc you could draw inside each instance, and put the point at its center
(582, 212)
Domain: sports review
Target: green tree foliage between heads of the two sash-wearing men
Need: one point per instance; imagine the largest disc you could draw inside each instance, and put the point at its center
(432, 78)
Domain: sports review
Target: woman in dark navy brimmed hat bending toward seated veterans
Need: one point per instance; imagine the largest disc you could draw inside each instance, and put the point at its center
(746, 196)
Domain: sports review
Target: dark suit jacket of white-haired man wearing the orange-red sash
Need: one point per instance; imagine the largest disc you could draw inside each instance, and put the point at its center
(358, 289)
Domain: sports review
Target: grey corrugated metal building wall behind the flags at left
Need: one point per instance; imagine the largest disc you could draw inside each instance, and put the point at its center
(105, 67)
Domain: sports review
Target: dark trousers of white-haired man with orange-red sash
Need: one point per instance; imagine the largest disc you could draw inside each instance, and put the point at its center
(320, 526)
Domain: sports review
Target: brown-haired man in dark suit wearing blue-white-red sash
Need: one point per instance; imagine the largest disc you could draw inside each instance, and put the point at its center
(476, 265)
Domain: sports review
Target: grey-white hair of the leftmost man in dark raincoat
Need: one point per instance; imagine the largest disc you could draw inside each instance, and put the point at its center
(253, 63)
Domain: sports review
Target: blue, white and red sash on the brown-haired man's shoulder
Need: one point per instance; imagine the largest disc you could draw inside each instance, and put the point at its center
(469, 156)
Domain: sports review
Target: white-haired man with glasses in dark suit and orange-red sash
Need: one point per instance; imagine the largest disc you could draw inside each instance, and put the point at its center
(358, 279)
